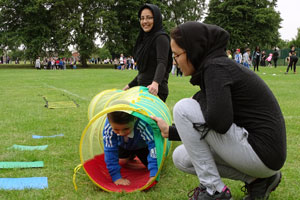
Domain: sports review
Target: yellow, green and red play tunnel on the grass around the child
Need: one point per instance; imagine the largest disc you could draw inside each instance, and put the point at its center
(138, 102)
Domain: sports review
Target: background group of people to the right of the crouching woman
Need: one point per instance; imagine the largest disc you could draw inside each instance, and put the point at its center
(259, 58)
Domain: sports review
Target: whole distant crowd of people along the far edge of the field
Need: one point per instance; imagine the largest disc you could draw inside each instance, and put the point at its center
(245, 57)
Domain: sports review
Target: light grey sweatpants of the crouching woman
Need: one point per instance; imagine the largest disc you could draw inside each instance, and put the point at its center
(226, 155)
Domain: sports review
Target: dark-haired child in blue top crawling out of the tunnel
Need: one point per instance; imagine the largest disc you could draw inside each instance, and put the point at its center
(124, 137)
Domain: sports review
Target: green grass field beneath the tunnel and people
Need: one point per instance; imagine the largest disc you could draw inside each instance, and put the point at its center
(22, 114)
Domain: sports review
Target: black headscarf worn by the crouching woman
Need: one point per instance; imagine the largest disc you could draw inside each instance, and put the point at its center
(201, 43)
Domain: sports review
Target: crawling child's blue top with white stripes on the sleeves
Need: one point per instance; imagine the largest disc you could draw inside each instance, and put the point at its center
(141, 137)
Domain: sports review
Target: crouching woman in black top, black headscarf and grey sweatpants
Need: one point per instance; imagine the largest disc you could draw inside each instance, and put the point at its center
(226, 130)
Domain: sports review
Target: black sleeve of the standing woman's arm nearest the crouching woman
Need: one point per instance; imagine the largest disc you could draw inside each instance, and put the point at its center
(162, 56)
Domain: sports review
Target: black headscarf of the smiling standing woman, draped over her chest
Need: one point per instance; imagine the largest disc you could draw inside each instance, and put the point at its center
(145, 39)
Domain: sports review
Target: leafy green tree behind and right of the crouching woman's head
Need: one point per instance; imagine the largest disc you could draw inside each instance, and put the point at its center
(250, 23)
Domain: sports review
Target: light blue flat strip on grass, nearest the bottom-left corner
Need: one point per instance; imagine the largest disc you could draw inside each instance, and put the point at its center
(23, 183)
